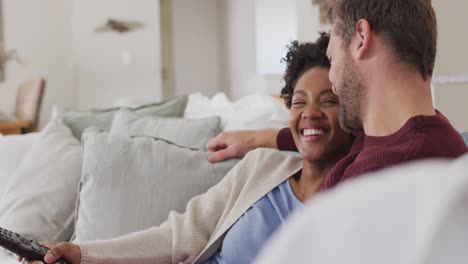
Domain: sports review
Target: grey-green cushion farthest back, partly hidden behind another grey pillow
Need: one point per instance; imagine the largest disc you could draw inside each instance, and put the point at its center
(102, 118)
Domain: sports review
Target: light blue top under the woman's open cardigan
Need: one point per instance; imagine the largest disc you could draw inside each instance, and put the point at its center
(246, 237)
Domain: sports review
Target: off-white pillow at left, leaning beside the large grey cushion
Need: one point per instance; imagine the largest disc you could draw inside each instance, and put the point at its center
(39, 200)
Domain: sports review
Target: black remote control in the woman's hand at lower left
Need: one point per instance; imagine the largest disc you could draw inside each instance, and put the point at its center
(23, 247)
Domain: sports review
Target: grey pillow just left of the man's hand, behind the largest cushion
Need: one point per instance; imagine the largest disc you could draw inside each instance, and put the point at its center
(191, 133)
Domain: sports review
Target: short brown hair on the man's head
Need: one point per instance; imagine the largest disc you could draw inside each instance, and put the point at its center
(409, 27)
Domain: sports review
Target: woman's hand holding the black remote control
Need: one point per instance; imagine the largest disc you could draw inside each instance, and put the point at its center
(65, 250)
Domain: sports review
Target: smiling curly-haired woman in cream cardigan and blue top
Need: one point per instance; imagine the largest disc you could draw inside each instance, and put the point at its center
(233, 219)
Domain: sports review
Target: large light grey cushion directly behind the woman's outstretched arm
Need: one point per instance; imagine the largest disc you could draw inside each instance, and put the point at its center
(130, 184)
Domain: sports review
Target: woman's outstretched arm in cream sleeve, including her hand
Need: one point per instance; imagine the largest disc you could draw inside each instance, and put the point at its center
(183, 236)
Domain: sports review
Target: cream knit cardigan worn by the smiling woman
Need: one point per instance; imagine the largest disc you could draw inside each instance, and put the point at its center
(194, 236)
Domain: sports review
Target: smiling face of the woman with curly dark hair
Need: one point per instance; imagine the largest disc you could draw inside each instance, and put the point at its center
(313, 118)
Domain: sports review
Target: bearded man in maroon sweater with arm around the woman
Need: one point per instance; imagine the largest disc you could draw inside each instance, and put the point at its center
(382, 55)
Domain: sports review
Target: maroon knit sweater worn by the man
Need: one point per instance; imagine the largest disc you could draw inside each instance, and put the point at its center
(421, 137)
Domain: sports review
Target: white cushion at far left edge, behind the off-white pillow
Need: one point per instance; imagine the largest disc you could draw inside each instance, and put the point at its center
(13, 148)
